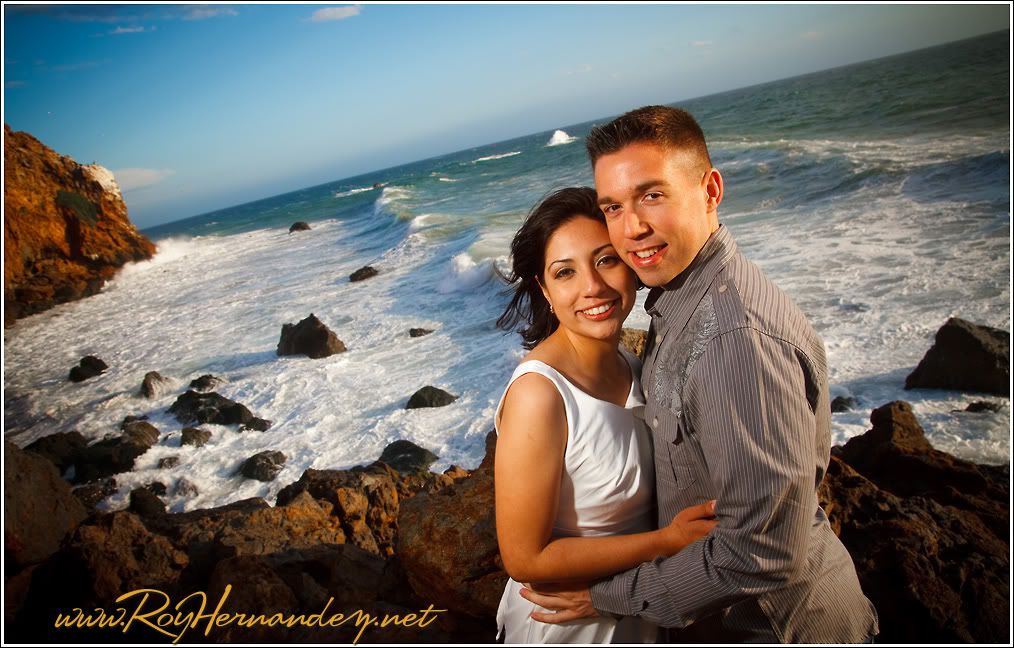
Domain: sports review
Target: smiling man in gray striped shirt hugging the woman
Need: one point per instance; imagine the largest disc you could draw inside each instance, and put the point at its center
(736, 382)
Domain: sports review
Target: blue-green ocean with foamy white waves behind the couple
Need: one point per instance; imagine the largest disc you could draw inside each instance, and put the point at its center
(878, 196)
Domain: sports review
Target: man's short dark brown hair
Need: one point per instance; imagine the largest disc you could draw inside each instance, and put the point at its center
(672, 128)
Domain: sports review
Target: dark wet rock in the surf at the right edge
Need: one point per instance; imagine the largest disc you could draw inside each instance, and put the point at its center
(968, 357)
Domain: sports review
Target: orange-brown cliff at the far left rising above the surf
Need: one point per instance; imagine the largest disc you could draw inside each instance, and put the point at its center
(66, 229)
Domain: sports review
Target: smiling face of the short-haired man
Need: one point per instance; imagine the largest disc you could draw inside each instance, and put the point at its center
(661, 208)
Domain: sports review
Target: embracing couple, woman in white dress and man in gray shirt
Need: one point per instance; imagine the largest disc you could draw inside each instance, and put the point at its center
(675, 501)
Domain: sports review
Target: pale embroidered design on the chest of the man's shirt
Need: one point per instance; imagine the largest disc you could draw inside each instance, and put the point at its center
(674, 369)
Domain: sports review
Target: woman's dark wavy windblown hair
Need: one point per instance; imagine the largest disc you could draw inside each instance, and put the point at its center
(528, 251)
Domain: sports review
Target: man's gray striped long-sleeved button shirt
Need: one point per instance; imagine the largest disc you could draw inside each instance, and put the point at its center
(737, 388)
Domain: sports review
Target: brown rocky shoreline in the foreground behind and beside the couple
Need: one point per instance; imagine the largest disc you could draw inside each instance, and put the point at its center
(929, 535)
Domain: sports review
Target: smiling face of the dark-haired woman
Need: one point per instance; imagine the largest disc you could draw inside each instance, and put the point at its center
(592, 292)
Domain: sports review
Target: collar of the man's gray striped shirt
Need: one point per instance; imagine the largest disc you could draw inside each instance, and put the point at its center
(677, 301)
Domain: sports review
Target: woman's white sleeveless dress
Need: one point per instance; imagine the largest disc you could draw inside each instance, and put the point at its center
(607, 489)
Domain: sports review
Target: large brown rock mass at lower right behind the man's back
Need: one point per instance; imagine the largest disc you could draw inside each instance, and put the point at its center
(929, 534)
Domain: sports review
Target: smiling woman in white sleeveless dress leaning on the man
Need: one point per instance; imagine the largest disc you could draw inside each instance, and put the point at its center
(573, 472)
